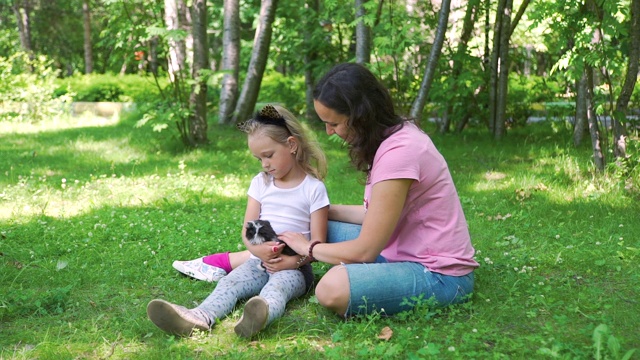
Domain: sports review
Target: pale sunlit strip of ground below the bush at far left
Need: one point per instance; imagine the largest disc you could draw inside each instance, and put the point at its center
(58, 123)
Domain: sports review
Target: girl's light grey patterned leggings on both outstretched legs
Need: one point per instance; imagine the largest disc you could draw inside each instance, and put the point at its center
(248, 280)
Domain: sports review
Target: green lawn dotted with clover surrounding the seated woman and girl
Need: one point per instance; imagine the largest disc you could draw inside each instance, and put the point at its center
(93, 212)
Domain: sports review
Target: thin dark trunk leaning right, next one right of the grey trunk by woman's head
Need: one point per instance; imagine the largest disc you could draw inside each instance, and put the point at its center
(470, 17)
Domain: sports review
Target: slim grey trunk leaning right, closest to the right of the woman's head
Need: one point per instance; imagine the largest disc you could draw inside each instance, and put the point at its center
(432, 63)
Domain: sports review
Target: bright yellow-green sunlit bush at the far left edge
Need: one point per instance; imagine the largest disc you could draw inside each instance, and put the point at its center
(26, 89)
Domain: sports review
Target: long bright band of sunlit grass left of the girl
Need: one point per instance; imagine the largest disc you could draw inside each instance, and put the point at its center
(21, 202)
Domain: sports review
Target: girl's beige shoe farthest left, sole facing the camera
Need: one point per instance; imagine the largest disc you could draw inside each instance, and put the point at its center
(175, 319)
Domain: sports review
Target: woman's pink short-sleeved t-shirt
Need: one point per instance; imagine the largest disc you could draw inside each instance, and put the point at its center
(432, 229)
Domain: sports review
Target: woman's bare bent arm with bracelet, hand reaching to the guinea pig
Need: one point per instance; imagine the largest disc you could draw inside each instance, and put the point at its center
(385, 206)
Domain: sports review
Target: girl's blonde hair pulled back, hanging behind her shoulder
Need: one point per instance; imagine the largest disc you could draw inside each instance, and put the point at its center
(309, 154)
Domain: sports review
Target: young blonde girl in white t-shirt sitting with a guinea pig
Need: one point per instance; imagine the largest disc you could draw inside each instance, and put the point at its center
(289, 194)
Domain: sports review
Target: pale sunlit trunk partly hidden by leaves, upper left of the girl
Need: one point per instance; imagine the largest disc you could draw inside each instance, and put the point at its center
(177, 48)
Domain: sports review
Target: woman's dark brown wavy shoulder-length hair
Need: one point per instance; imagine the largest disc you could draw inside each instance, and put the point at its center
(352, 90)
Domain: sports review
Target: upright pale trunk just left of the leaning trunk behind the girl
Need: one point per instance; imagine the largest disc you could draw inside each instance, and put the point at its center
(230, 60)
